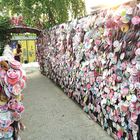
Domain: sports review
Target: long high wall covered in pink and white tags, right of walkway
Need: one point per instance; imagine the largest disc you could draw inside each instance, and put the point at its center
(96, 61)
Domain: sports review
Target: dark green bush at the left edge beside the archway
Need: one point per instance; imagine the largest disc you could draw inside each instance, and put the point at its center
(4, 37)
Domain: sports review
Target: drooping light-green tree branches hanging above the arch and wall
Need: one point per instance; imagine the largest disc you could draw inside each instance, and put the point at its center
(44, 13)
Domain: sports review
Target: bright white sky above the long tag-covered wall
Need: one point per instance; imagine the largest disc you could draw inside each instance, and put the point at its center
(92, 3)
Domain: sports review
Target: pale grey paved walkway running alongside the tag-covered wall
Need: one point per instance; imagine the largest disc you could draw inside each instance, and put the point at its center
(51, 115)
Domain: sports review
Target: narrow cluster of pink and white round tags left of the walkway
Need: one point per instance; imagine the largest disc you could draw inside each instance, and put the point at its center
(12, 82)
